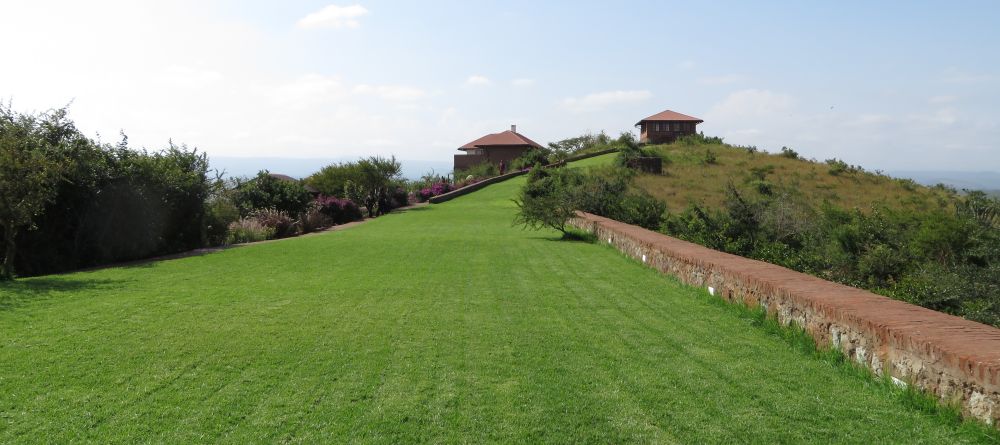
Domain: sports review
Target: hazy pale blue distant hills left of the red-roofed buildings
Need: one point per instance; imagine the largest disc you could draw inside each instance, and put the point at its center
(302, 167)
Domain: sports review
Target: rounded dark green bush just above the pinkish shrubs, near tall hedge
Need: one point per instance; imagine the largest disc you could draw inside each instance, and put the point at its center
(266, 191)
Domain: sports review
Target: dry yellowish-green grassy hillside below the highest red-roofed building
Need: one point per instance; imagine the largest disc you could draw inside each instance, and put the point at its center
(690, 178)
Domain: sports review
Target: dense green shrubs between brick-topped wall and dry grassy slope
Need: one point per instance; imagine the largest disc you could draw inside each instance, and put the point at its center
(946, 261)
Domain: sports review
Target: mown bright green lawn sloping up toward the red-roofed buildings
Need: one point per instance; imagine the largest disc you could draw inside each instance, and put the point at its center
(440, 324)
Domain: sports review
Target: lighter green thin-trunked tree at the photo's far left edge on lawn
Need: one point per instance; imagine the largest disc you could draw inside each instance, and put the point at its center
(30, 168)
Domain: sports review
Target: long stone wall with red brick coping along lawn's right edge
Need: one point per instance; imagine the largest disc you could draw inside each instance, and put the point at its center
(956, 359)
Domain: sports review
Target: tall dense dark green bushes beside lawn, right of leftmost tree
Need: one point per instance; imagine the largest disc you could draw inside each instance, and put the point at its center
(112, 203)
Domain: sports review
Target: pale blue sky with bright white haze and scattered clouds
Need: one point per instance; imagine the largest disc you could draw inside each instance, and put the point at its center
(906, 85)
